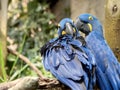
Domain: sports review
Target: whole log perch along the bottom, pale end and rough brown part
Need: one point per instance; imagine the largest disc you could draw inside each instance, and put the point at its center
(33, 83)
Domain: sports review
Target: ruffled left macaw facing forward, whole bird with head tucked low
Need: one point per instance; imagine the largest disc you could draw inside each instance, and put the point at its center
(68, 59)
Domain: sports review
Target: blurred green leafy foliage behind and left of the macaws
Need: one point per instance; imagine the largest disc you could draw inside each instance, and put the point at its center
(30, 25)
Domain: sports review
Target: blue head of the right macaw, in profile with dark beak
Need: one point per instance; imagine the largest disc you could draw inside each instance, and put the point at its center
(87, 23)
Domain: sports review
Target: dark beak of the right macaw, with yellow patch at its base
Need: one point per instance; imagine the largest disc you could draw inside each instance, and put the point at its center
(83, 27)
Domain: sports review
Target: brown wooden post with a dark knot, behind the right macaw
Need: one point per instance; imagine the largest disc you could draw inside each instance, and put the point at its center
(112, 25)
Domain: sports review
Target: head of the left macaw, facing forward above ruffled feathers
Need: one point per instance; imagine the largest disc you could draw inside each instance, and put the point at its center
(66, 26)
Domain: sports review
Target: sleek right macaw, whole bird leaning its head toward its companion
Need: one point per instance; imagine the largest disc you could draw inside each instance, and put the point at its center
(108, 67)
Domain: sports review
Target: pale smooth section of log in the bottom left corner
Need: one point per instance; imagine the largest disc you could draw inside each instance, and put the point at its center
(26, 83)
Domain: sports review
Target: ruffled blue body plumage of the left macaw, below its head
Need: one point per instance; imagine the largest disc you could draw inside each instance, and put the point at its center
(66, 60)
